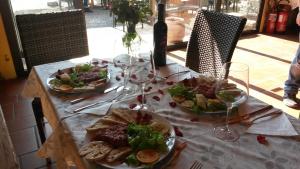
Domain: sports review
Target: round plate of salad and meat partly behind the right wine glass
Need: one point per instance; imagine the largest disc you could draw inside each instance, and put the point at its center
(184, 94)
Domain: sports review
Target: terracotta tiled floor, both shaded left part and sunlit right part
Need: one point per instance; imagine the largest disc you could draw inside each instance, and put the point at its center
(268, 57)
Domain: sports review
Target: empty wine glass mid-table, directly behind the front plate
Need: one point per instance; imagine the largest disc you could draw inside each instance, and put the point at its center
(142, 73)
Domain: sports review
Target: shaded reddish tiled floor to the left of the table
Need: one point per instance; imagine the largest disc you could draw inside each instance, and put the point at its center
(21, 124)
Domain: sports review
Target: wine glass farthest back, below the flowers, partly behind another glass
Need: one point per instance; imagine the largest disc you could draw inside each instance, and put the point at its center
(124, 61)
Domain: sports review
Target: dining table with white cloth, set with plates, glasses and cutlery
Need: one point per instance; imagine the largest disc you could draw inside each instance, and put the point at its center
(203, 121)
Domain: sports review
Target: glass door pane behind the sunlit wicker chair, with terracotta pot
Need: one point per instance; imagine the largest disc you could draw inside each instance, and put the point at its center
(180, 14)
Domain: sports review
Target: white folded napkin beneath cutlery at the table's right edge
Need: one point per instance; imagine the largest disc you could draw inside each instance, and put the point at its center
(274, 126)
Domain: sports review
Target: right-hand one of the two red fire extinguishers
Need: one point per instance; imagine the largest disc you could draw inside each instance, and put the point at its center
(282, 18)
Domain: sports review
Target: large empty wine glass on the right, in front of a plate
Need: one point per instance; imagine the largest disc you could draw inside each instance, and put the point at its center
(232, 88)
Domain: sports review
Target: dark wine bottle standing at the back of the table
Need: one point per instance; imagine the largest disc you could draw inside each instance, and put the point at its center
(160, 37)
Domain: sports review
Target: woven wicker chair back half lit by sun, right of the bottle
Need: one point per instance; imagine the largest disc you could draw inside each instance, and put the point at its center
(212, 41)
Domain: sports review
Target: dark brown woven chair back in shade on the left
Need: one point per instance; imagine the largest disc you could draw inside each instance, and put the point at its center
(52, 36)
